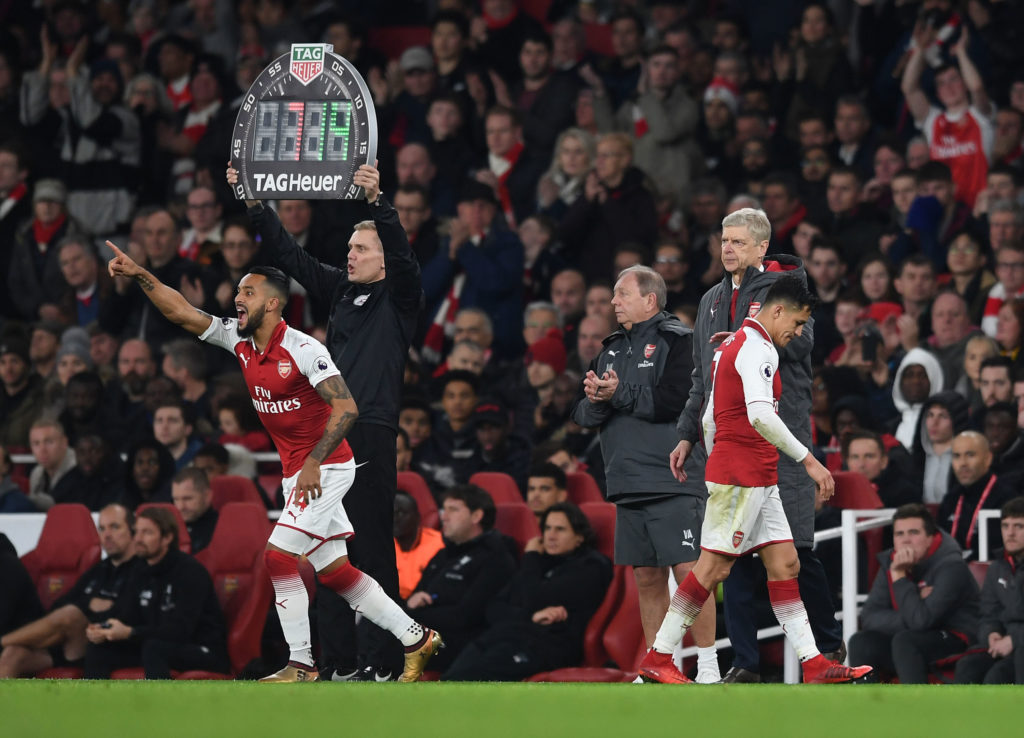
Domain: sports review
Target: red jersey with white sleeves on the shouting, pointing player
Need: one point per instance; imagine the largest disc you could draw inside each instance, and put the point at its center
(282, 382)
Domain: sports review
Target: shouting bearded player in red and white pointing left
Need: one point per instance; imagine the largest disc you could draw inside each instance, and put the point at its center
(307, 408)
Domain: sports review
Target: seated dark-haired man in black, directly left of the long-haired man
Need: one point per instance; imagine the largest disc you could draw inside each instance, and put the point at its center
(463, 578)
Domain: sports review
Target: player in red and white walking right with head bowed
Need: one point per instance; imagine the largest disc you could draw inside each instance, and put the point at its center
(744, 436)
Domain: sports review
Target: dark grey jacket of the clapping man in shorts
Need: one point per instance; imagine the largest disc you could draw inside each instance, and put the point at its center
(637, 425)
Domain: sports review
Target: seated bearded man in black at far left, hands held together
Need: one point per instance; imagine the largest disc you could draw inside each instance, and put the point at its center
(169, 619)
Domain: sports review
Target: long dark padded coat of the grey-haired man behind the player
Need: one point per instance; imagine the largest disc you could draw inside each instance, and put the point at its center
(796, 488)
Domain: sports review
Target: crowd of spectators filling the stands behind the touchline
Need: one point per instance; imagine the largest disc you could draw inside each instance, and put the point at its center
(533, 151)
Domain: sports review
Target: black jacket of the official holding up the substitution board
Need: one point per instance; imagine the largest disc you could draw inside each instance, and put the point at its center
(371, 325)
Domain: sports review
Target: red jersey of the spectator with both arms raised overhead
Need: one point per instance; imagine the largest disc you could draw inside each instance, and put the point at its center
(965, 146)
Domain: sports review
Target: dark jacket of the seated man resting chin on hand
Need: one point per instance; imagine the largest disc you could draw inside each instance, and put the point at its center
(953, 604)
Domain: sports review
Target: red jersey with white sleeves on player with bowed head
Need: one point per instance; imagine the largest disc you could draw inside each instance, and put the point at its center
(746, 372)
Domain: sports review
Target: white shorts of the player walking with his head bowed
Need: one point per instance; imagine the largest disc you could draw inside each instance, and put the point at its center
(739, 520)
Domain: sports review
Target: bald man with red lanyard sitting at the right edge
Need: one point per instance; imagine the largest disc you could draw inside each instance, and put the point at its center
(975, 489)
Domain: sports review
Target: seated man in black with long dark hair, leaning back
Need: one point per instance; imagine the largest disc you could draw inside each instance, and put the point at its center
(539, 619)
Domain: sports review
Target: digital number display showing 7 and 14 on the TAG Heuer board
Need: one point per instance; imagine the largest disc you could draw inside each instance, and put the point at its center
(303, 132)
